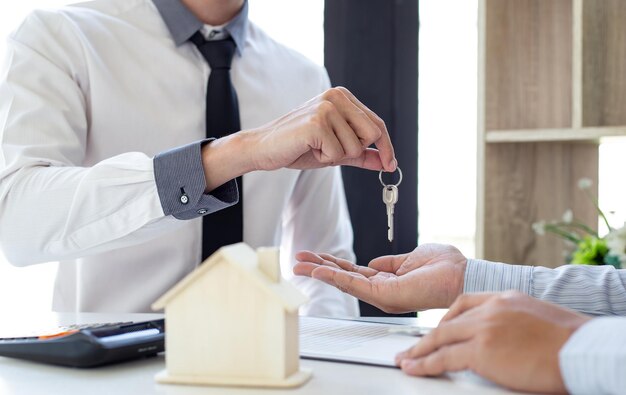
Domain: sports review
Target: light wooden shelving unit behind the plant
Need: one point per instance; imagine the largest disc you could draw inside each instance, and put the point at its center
(552, 83)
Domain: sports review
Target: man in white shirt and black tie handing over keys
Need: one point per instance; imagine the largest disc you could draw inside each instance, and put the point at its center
(104, 164)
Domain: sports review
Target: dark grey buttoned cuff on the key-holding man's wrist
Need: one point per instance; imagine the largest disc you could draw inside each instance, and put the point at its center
(180, 182)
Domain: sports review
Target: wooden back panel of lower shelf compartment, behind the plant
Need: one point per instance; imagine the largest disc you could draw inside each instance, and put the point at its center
(527, 183)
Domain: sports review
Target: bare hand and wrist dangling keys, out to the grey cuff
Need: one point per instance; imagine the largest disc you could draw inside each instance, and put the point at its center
(334, 128)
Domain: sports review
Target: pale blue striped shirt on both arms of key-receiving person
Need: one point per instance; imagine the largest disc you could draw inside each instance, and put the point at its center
(593, 360)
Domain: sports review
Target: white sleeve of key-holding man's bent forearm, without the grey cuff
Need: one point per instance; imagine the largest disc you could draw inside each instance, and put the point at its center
(59, 212)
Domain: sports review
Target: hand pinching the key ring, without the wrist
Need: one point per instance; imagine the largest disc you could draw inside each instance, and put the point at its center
(334, 128)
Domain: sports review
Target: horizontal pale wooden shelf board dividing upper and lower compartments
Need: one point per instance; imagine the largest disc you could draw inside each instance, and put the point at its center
(544, 135)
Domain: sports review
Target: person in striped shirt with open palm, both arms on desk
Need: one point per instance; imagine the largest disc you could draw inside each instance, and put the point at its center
(520, 326)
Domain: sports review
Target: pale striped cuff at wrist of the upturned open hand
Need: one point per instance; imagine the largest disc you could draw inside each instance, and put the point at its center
(485, 276)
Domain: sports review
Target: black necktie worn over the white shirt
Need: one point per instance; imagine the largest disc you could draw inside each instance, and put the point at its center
(222, 118)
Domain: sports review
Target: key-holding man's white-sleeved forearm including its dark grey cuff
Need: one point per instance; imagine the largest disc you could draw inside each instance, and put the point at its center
(63, 212)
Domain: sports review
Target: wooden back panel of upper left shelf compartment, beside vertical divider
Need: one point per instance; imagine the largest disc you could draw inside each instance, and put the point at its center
(528, 64)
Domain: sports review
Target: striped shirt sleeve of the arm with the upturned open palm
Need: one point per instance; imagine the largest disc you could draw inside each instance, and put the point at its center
(595, 290)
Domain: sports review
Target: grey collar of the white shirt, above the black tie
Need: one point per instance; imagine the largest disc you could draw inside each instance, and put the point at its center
(182, 23)
